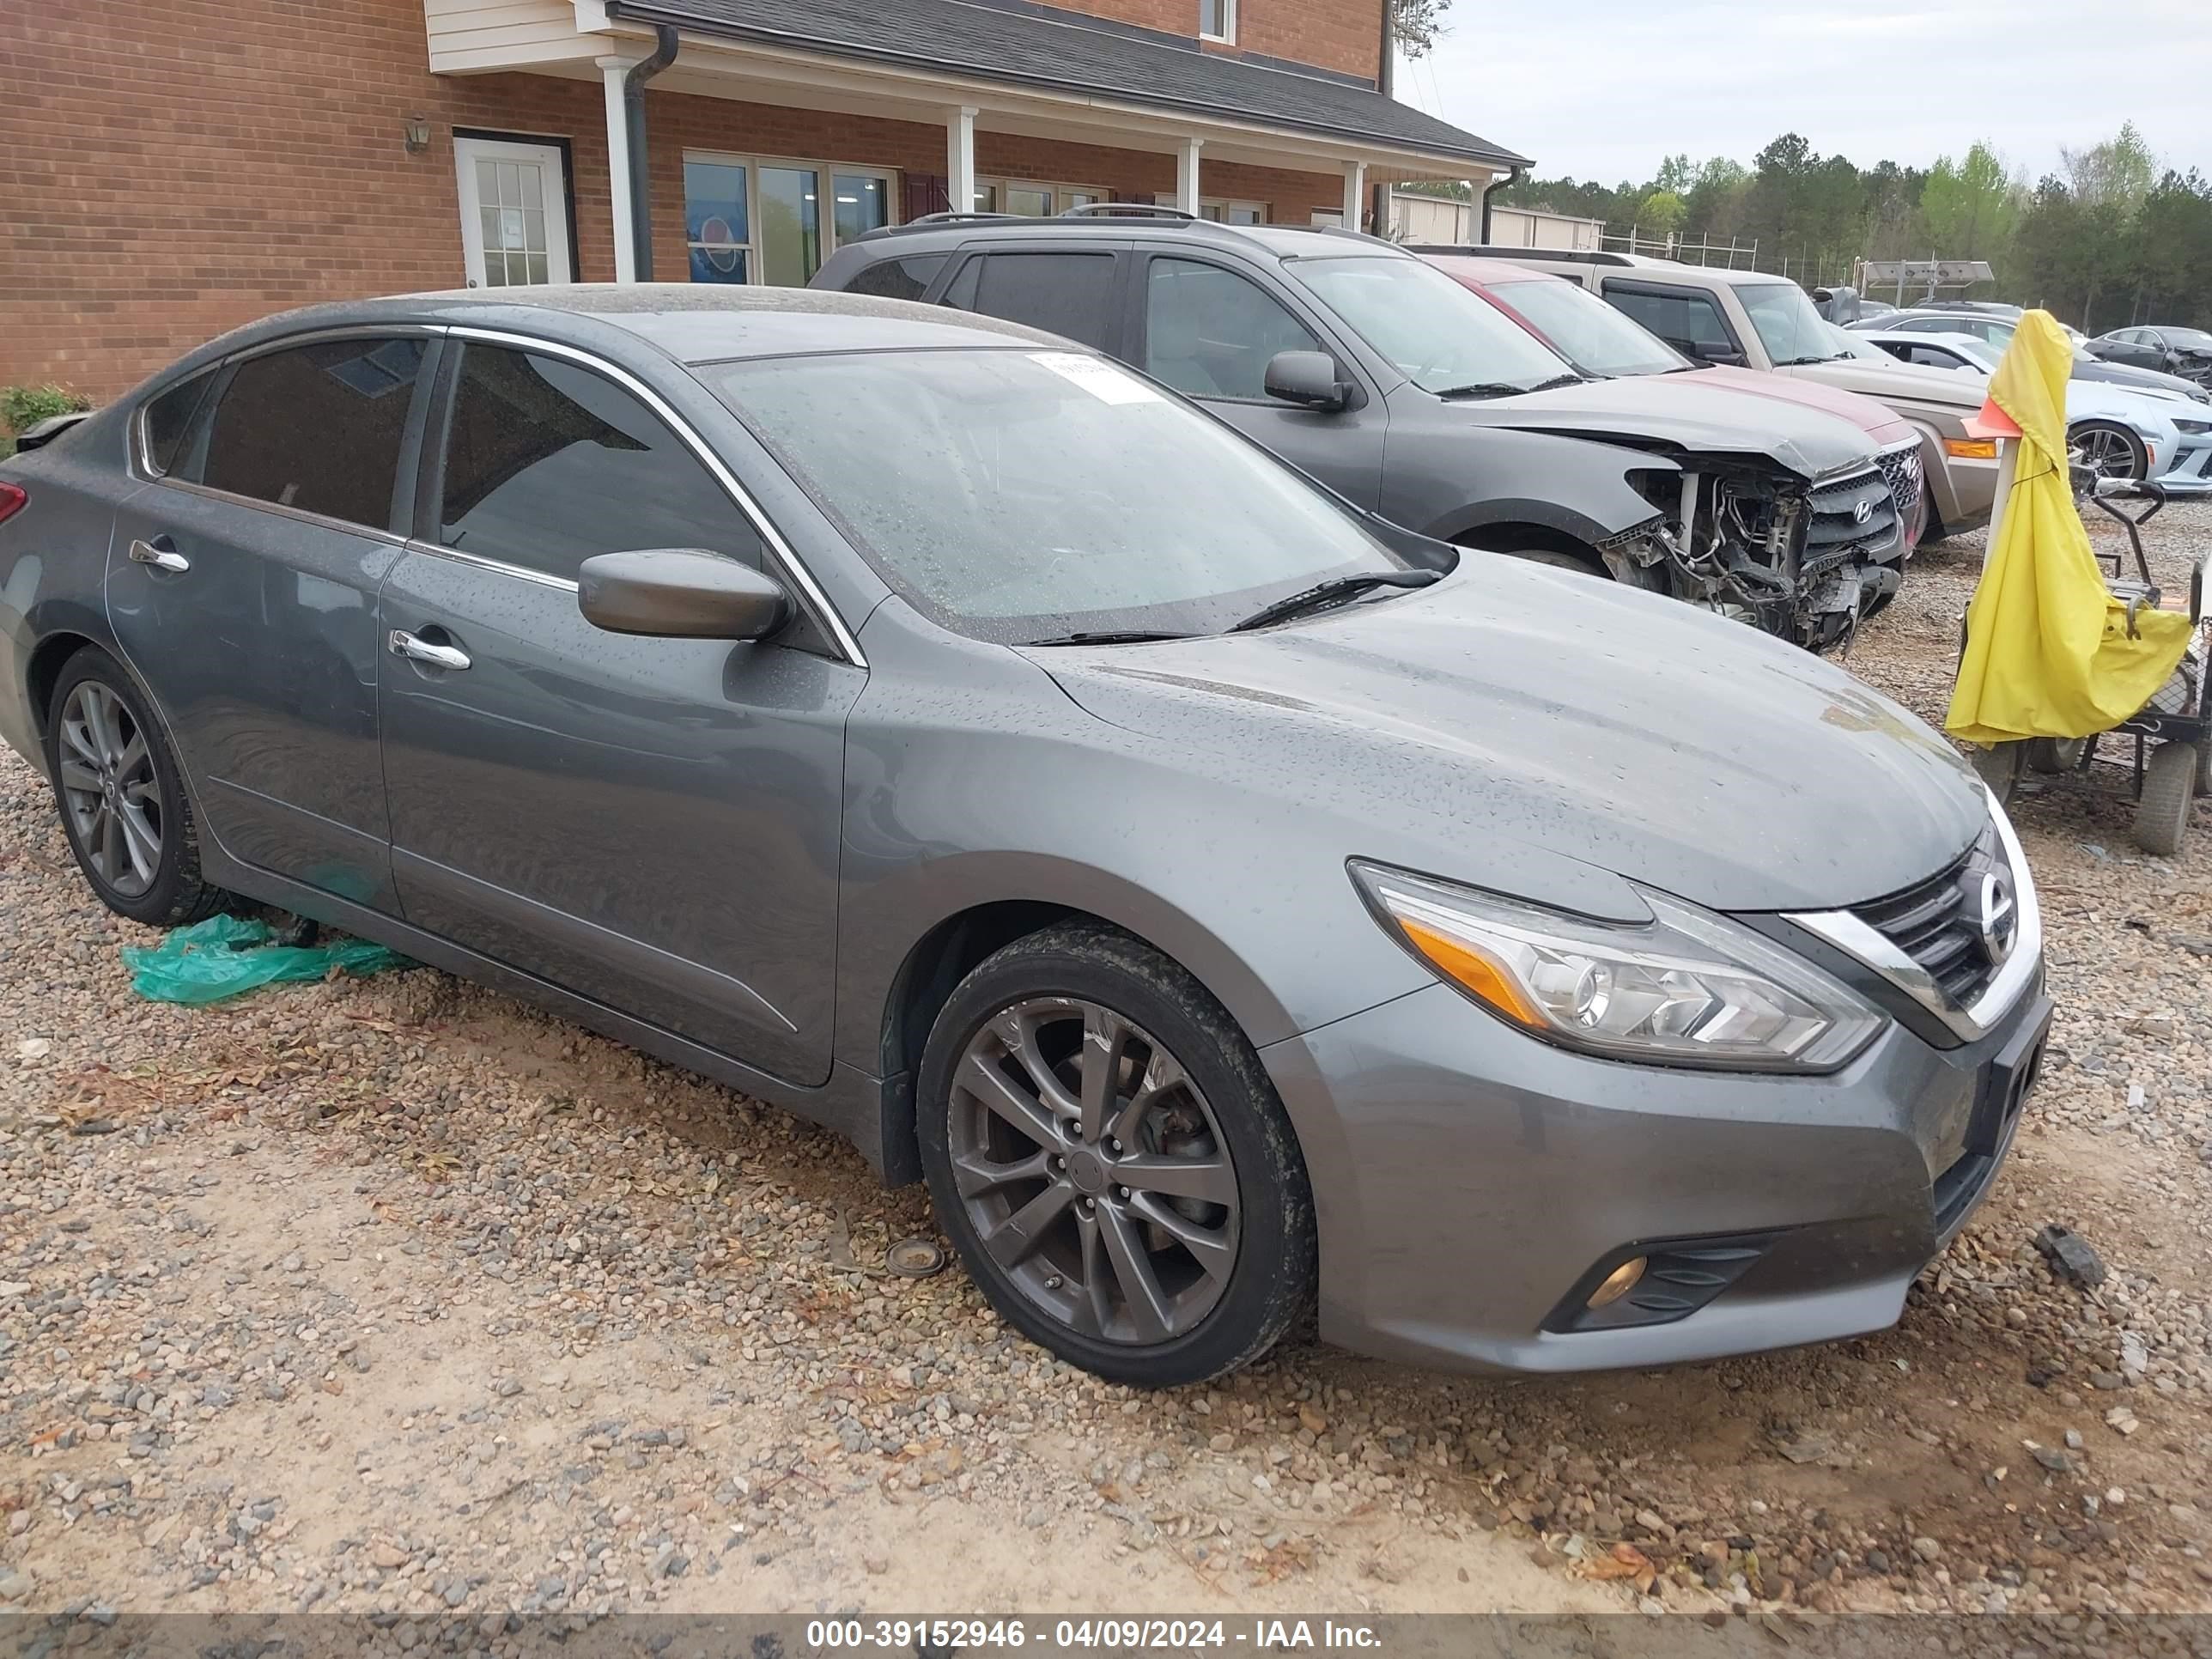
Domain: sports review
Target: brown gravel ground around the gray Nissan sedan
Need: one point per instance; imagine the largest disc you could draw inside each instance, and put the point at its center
(401, 1297)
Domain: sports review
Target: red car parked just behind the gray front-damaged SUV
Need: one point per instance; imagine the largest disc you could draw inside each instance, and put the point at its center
(1603, 344)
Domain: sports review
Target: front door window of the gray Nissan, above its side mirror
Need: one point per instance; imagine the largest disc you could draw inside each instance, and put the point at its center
(550, 463)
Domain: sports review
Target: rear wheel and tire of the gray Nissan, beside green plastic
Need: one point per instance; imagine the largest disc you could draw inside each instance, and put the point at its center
(123, 797)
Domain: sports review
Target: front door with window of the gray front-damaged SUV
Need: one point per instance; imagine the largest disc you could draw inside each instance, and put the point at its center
(1209, 331)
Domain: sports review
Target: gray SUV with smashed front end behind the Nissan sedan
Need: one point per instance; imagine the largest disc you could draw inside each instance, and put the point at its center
(1406, 393)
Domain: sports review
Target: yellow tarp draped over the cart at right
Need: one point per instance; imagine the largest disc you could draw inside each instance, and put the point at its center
(2047, 645)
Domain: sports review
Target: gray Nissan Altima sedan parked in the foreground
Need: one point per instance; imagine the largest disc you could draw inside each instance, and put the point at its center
(1213, 893)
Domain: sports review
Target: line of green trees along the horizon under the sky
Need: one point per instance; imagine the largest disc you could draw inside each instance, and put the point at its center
(2107, 240)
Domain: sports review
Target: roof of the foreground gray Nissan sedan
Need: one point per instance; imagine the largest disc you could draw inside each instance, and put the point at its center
(689, 322)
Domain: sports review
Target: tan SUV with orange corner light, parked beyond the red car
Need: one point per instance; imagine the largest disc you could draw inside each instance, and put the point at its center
(1766, 324)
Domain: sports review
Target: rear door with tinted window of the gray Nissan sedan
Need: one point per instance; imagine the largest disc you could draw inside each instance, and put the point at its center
(242, 587)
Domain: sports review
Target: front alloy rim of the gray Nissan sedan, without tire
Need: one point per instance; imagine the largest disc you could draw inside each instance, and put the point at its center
(1094, 1171)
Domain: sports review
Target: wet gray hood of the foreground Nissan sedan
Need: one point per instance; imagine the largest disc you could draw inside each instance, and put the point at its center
(1516, 709)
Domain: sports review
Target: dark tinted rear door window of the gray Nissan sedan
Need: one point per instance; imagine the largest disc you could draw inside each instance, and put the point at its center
(315, 428)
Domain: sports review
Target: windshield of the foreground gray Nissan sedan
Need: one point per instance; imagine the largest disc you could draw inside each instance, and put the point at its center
(1030, 494)
